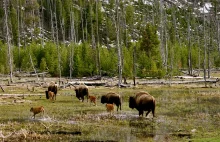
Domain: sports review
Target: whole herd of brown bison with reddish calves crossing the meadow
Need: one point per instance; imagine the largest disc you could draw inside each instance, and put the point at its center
(142, 101)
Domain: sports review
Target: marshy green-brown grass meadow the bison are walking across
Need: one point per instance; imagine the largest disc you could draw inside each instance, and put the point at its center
(183, 113)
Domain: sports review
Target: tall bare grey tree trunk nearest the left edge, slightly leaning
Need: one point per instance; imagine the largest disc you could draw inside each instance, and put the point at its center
(8, 39)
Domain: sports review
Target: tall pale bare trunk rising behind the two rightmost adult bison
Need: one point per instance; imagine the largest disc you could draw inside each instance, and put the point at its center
(118, 45)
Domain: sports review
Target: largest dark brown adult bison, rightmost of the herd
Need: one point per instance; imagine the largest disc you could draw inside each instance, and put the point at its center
(143, 101)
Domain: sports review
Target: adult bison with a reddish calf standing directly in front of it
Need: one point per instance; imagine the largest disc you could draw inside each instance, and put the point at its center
(111, 98)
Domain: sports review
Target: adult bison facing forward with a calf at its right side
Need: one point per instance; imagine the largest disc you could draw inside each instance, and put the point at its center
(82, 91)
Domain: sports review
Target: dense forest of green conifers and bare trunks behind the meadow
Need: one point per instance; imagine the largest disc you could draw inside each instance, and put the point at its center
(125, 38)
